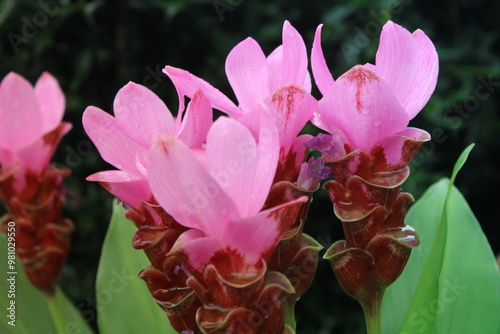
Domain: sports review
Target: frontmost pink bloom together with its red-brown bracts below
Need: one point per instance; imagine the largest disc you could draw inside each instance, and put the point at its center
(220, 198)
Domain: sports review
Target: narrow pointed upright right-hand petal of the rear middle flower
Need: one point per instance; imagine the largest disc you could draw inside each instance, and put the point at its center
(294, 68)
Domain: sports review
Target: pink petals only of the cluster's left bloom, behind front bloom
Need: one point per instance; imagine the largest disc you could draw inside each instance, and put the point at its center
(123, 141)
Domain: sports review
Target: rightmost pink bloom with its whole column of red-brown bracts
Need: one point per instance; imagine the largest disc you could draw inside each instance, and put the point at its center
(366, 112)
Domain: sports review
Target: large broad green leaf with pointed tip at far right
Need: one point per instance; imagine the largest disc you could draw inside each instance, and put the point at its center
(451, 283)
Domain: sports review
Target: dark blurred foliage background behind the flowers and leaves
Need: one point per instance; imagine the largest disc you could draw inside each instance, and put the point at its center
(95, 47)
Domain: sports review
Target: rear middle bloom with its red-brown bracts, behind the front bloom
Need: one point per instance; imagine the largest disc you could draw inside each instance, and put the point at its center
(279, 83)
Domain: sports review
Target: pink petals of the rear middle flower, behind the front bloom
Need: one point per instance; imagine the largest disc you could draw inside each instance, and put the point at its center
(279, 83)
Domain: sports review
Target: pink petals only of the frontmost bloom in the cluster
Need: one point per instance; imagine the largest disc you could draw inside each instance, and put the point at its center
(221, 196)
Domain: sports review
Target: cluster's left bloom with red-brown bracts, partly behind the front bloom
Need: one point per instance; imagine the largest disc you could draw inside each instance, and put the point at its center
(123, 141)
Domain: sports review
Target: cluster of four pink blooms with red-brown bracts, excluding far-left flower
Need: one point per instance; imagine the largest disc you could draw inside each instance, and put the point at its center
(220, 205)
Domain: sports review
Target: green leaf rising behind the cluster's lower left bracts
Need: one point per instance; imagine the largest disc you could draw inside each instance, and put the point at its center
(124, 303)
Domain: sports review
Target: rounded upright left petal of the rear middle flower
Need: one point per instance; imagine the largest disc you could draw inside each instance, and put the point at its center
(247, 72)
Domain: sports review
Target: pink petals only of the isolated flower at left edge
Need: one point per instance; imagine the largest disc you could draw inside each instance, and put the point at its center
(31, 126)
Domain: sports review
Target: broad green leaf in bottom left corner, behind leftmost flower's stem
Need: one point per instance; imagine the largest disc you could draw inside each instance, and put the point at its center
(32, 313)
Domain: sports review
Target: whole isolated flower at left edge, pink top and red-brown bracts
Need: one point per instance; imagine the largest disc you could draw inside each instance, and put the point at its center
(30, 188)
